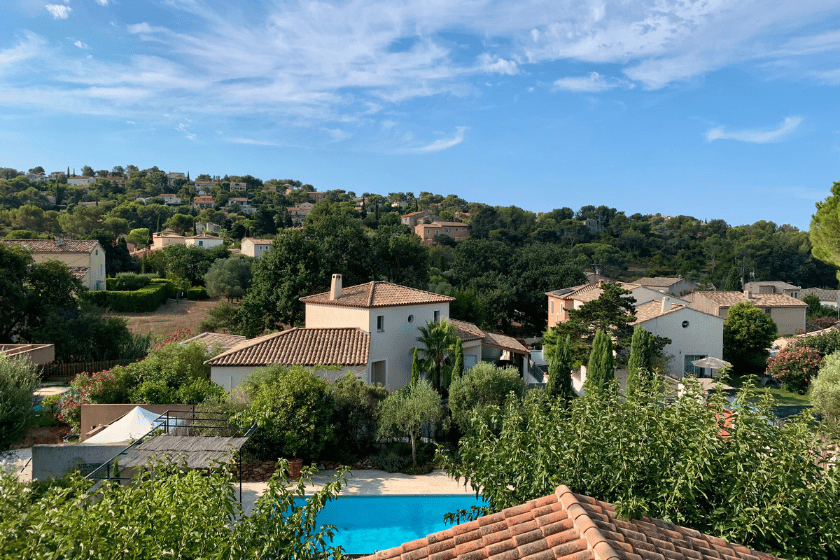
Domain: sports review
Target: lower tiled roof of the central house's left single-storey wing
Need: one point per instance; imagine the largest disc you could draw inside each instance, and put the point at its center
(305, 347)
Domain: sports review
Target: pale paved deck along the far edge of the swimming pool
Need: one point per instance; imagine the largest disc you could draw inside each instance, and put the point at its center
(370, 482)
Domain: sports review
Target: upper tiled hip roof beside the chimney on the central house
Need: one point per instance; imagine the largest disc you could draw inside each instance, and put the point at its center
(378, 294)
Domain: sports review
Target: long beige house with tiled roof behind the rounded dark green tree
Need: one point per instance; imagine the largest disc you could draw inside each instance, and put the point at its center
(787, 312)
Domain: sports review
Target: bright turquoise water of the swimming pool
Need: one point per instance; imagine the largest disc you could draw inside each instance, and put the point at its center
(365, 524)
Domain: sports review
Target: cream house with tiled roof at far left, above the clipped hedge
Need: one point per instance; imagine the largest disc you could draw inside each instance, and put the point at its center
(85, 258)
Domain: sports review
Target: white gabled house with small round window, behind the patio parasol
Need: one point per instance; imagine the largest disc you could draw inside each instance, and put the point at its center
(694, 334)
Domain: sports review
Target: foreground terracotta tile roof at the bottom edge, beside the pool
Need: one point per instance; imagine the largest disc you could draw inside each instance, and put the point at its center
(567, 526)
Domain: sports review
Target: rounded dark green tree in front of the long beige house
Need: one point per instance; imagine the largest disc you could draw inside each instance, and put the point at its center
(747, 333)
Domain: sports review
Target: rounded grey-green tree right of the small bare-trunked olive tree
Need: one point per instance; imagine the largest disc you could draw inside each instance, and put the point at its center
(480, 394)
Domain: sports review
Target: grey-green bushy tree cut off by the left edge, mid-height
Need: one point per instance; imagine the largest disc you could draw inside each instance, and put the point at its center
(18, 380)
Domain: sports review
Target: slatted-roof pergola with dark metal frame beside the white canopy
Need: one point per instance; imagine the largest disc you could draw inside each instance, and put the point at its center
(199, 440)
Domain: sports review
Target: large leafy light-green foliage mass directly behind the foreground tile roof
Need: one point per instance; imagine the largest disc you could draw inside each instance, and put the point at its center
(773, 487)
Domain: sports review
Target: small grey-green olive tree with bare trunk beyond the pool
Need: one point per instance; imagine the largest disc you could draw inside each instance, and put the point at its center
(406, 413)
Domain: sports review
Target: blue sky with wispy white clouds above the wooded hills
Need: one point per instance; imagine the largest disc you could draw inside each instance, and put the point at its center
(716, 109)
